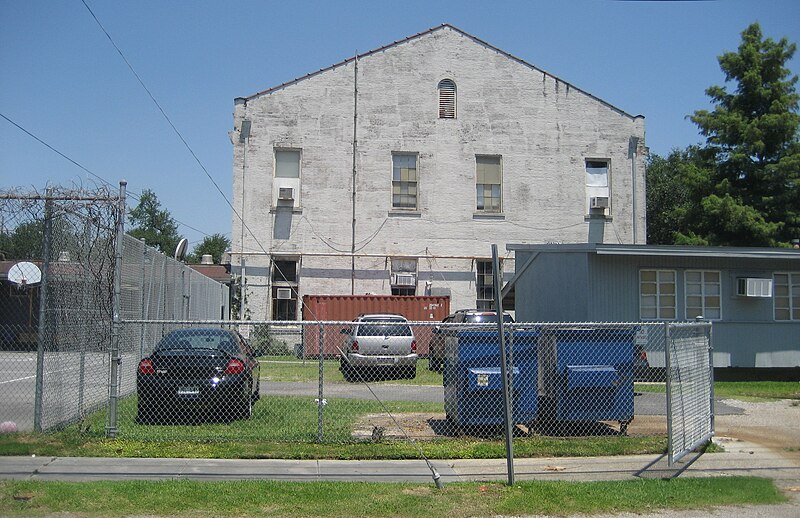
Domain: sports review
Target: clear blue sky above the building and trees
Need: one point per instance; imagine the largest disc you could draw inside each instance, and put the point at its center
(62, 80)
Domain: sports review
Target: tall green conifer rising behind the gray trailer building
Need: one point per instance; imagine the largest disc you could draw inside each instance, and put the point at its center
(751, 194)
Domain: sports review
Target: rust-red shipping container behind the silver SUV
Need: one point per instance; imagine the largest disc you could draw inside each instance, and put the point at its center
(347, 307)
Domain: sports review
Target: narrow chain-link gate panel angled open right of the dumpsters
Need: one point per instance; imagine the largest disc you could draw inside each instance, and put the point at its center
(690, 388)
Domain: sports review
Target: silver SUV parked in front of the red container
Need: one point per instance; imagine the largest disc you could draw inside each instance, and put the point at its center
(378, 345)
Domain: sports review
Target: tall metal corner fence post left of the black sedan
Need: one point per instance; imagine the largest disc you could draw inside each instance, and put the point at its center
(116, 359)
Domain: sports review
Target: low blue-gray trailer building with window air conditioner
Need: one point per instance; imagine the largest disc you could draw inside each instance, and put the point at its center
(752, 295)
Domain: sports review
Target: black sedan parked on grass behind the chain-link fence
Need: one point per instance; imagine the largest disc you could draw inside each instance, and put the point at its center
(198, 373)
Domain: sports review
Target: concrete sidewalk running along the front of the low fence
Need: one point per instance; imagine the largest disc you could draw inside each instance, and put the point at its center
(740, 458)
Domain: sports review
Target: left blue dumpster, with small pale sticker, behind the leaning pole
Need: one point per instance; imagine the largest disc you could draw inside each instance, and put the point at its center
(473, 384)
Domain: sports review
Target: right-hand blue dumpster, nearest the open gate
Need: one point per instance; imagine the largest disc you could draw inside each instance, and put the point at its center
(586, 374)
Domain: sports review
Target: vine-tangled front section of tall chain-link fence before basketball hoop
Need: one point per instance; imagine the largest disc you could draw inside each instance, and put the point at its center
(59, 258)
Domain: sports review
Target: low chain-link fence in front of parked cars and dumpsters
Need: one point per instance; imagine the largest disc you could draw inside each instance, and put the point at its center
(372, 378)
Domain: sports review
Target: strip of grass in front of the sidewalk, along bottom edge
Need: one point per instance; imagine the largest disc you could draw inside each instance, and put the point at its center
(339, 499)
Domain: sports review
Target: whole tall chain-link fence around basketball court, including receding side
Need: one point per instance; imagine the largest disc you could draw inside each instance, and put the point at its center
(63, 355)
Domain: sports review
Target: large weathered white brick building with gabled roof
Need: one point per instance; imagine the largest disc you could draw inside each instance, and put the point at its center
(394, 172)
